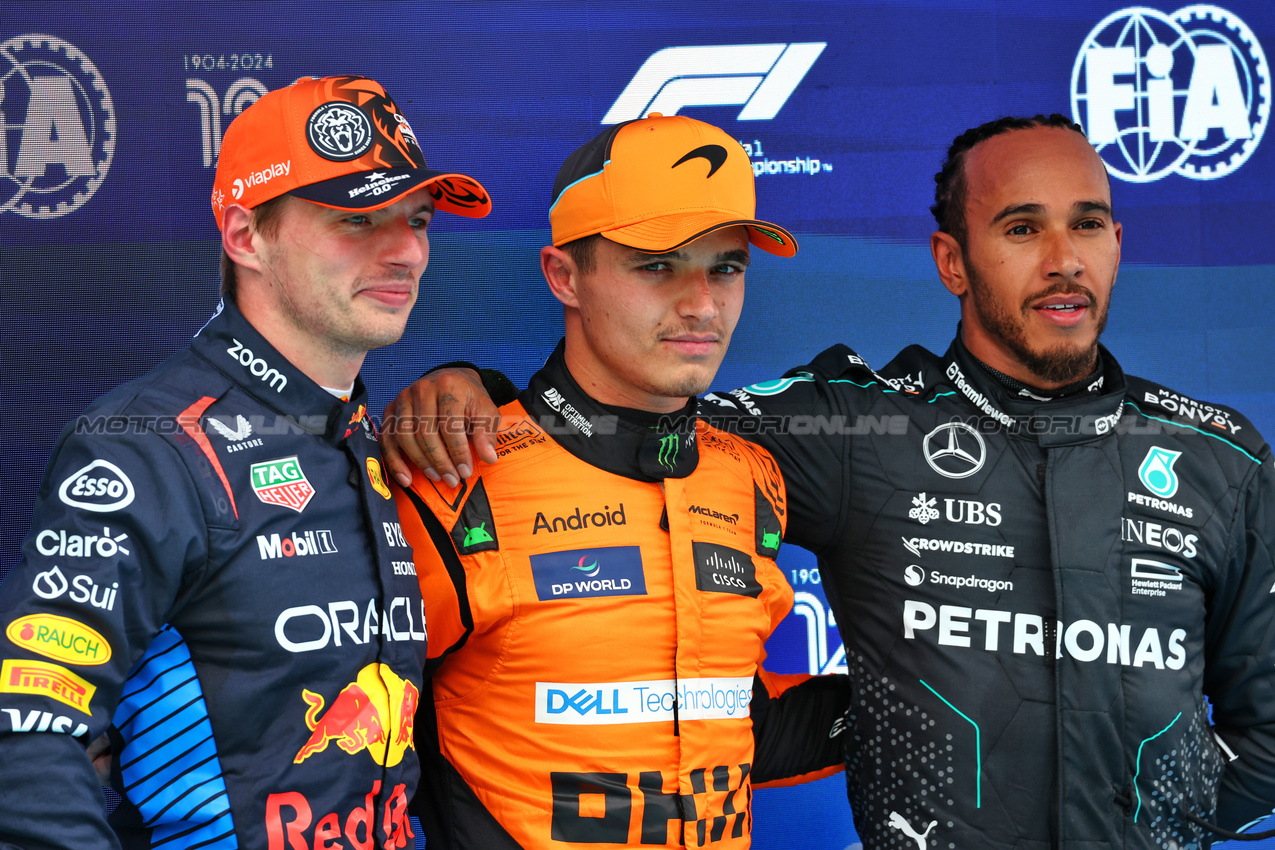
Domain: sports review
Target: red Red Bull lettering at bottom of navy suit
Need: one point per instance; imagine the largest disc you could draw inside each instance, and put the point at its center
(289, 819)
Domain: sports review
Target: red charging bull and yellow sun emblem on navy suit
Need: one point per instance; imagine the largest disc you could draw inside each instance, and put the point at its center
(377, 713)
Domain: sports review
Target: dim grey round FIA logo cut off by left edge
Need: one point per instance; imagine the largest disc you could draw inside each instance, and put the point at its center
(55, 104)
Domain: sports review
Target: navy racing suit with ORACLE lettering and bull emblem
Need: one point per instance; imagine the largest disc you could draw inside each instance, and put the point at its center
(216, 569)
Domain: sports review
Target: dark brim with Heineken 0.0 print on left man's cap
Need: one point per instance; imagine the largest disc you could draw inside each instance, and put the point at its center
(370, 191)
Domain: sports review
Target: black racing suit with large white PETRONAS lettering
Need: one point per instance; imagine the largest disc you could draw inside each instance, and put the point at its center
(1036, 598)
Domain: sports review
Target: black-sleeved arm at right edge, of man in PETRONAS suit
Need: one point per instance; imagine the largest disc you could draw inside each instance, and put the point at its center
(1240, 666)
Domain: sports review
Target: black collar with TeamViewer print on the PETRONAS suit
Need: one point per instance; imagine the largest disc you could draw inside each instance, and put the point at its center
(1053, 422)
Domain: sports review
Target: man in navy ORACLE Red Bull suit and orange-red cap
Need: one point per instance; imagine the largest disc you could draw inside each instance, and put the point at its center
(216, 570)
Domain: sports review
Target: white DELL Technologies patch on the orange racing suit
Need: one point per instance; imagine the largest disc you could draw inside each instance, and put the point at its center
(662, 700)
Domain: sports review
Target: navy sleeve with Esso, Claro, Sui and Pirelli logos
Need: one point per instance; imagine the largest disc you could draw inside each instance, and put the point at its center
(118, 529)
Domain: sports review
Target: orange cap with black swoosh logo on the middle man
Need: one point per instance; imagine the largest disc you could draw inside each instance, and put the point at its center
(659, 183)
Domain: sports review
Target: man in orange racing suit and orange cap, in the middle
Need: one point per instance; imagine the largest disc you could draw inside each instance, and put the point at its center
(599, 602)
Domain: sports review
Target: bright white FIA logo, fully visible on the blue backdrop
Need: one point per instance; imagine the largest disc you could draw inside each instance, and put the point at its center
(1186, 94)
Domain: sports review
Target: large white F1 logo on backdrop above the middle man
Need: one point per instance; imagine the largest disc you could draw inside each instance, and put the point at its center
(761, 77)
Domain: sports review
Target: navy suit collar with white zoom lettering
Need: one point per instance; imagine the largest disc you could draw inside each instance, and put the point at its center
(233, 346)
